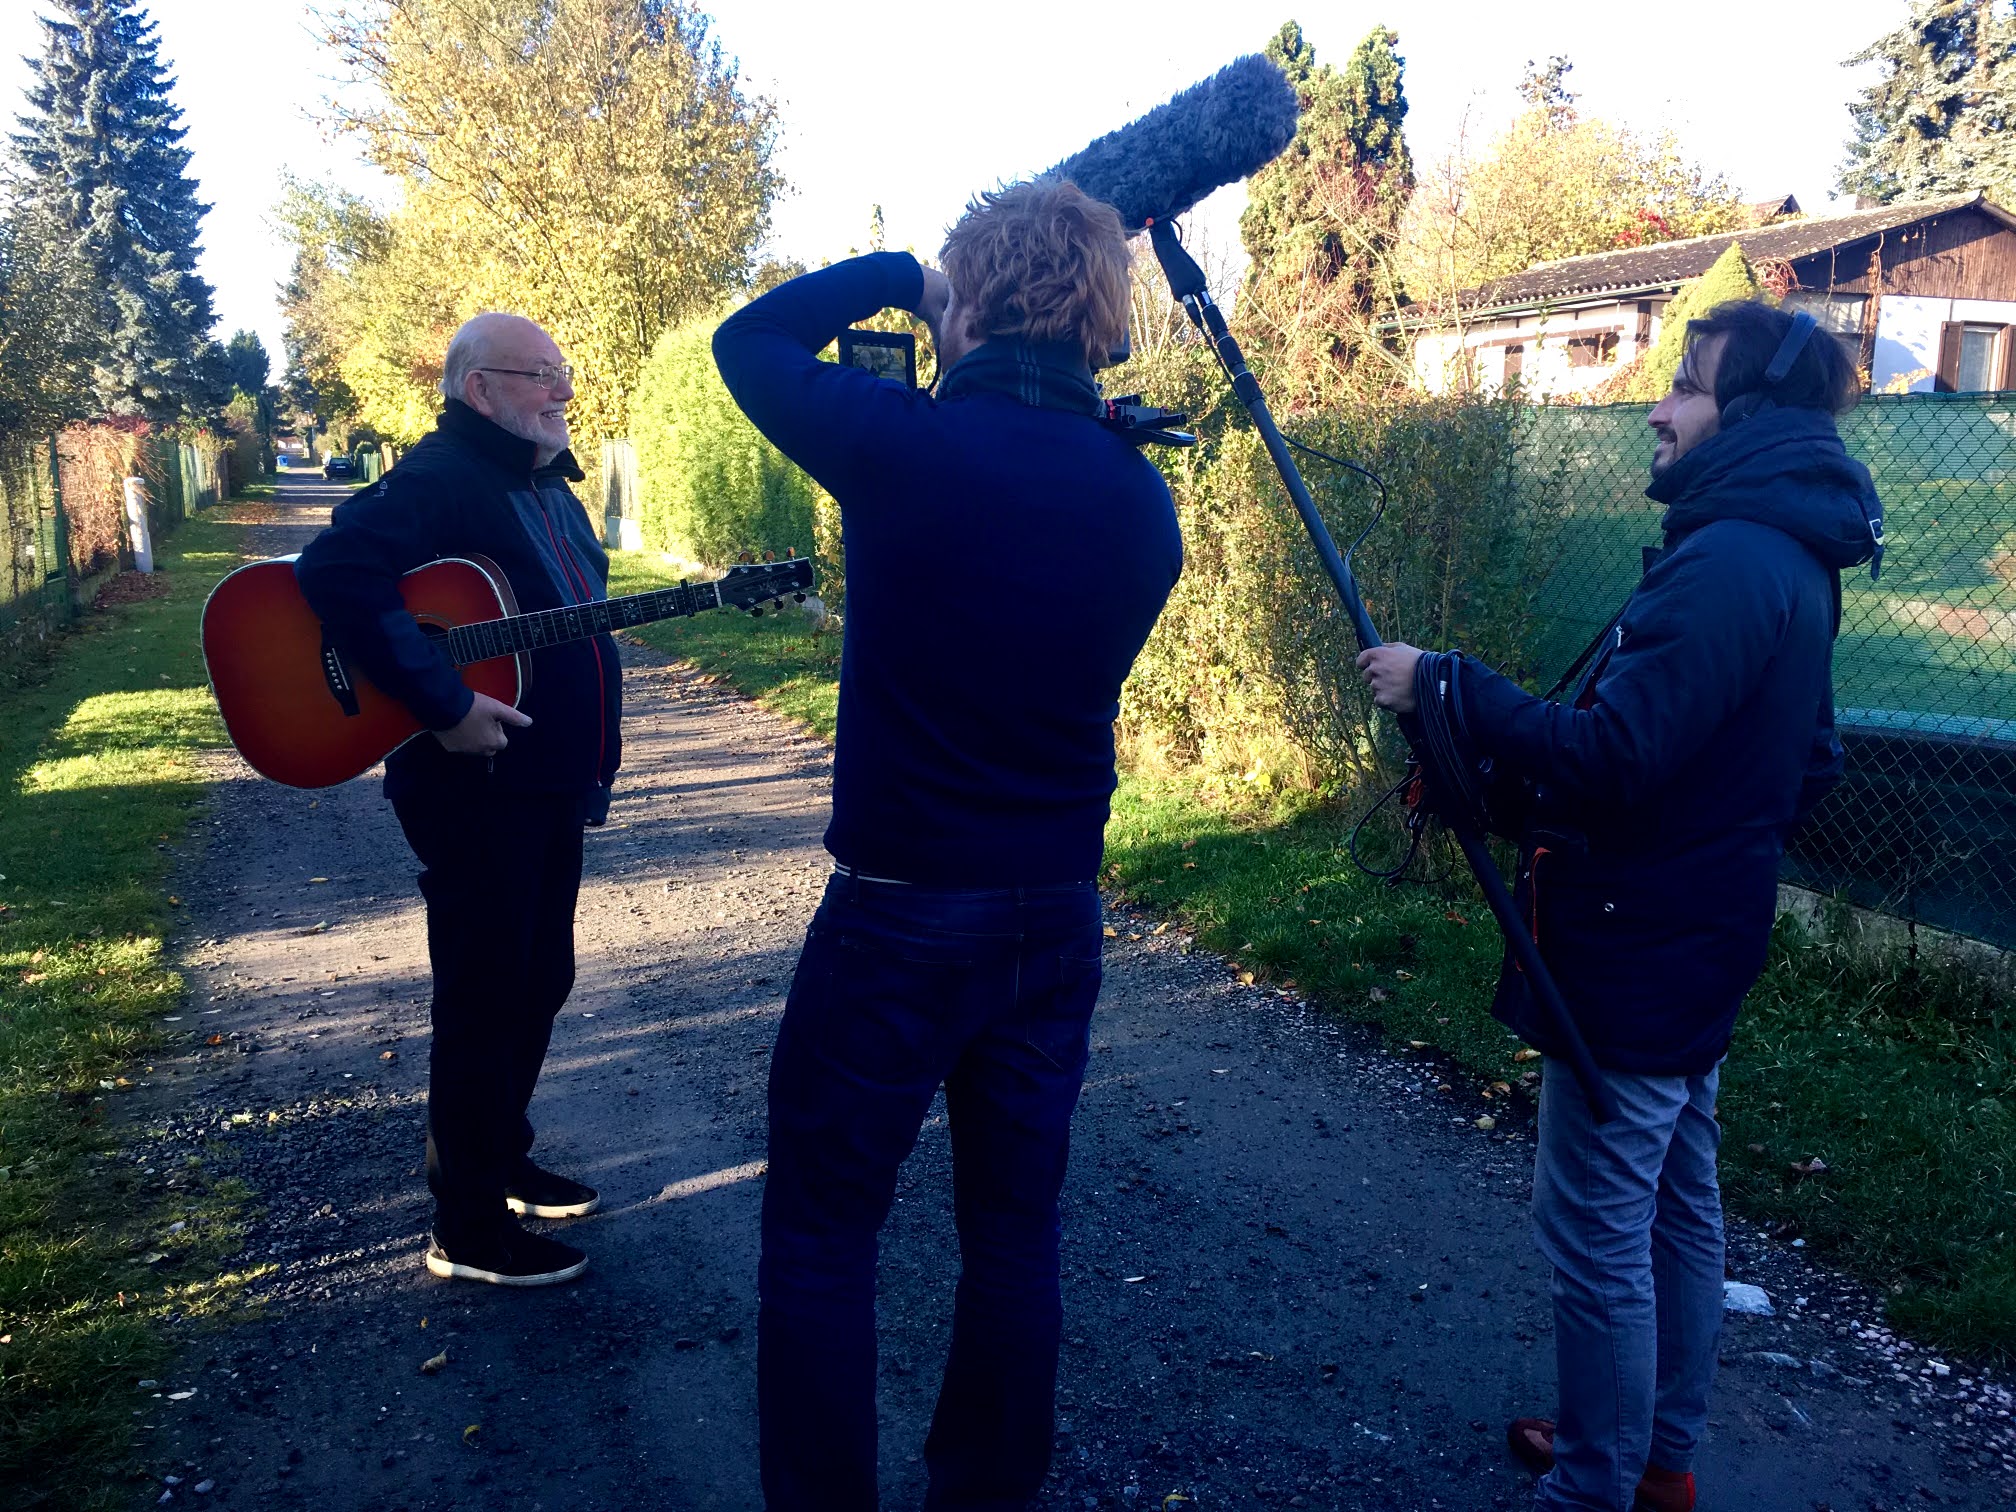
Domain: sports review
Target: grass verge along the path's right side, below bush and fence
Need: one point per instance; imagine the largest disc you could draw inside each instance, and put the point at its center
(1896, 1072)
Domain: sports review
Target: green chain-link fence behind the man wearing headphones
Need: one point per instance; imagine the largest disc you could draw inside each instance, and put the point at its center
(1926, 664)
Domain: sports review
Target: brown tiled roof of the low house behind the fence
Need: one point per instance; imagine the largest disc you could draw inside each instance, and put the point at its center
(1666, 265)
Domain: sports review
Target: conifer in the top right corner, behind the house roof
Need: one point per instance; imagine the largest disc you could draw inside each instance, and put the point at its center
(1942, 116)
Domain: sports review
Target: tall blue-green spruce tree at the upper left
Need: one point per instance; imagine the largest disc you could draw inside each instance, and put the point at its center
(104, 156)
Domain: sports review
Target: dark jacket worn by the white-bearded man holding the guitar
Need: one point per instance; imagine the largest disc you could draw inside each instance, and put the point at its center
(471, 489)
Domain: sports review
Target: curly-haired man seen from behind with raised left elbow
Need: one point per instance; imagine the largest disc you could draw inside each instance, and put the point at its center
(1007, 557)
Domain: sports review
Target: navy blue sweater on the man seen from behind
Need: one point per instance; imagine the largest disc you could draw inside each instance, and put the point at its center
(1007, 559)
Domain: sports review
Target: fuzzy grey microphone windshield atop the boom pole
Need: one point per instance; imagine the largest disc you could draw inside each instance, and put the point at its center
(1217, 132)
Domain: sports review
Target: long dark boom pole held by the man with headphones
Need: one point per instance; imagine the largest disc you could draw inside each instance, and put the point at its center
(1186, 283)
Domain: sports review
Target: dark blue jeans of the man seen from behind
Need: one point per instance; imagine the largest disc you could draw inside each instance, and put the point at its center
(902, 991)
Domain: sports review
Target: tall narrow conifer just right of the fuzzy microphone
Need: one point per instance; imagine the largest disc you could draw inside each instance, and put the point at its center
(1321, 219)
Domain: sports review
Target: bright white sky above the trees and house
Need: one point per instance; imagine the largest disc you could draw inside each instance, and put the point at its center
(916, 104)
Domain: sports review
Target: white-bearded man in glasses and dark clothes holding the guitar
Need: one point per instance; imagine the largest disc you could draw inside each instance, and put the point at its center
(495, 799)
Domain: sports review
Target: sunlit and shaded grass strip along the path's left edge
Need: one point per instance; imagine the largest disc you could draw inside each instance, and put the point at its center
(100, 777)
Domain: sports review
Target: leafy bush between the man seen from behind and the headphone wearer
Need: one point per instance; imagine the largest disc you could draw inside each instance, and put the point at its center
(1251, 668)
